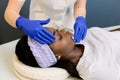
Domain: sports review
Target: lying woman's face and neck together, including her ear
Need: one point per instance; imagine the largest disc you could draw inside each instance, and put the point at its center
(64, 46)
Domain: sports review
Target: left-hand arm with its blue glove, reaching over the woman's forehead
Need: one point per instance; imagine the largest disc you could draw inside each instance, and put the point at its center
(34, 29)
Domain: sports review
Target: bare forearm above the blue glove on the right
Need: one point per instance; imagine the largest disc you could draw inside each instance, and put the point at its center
(80, 8)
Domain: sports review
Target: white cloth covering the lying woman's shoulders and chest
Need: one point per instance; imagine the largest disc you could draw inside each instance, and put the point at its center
(101, 57)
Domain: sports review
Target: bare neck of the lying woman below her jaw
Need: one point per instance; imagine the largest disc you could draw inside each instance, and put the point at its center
(77, 53)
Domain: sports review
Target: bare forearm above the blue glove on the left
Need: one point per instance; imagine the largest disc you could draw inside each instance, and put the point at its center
(12, 11)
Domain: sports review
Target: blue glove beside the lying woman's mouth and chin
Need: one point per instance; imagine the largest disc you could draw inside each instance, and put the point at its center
(80, 29)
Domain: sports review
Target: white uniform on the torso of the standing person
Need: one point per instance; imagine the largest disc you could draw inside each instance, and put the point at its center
(60, 11)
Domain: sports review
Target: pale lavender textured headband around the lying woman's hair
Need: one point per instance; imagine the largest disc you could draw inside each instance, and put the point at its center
(42, 53)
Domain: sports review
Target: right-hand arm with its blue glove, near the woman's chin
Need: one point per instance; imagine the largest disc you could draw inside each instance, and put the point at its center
(80, 27)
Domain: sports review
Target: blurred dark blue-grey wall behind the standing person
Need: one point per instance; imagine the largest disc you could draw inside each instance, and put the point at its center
(101, 13)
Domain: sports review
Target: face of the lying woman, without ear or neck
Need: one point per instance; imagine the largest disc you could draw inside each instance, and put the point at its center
(63, 43)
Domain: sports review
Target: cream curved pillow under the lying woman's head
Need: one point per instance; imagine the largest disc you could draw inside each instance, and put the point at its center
(25, 72)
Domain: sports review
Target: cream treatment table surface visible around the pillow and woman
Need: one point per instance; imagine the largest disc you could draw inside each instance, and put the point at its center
(7, 50)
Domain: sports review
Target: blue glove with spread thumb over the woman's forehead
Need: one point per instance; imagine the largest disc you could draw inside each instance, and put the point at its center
(35, 29)
